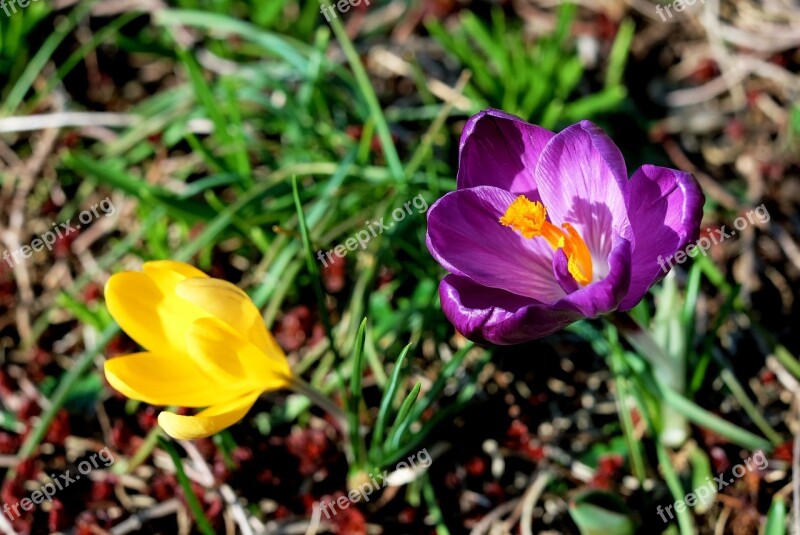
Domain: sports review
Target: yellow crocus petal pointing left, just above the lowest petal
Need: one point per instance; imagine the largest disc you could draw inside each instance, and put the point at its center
(163, 380)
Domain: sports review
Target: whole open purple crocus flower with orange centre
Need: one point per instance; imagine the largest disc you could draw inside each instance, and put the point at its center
(545, 229)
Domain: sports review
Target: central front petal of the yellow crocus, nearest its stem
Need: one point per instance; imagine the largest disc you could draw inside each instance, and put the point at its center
(224, 353)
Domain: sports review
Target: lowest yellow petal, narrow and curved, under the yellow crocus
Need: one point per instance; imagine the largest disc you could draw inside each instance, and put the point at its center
(208, 422)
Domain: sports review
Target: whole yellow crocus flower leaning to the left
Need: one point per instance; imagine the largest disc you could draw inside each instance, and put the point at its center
(206, 346)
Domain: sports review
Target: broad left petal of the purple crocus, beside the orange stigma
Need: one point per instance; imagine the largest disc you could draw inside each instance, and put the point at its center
(467, 239)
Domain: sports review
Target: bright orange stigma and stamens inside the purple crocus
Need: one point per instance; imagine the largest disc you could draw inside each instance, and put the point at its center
(529, 218)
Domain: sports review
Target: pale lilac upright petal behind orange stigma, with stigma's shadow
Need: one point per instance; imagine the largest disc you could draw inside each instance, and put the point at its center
(582, 180)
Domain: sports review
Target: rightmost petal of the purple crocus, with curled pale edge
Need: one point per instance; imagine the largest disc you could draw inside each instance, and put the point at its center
(665, 208)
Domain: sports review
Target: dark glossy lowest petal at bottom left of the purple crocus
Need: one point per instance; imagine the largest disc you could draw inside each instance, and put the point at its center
(495, 316)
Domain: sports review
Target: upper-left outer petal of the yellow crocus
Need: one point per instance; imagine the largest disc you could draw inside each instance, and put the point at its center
(156, 319)
